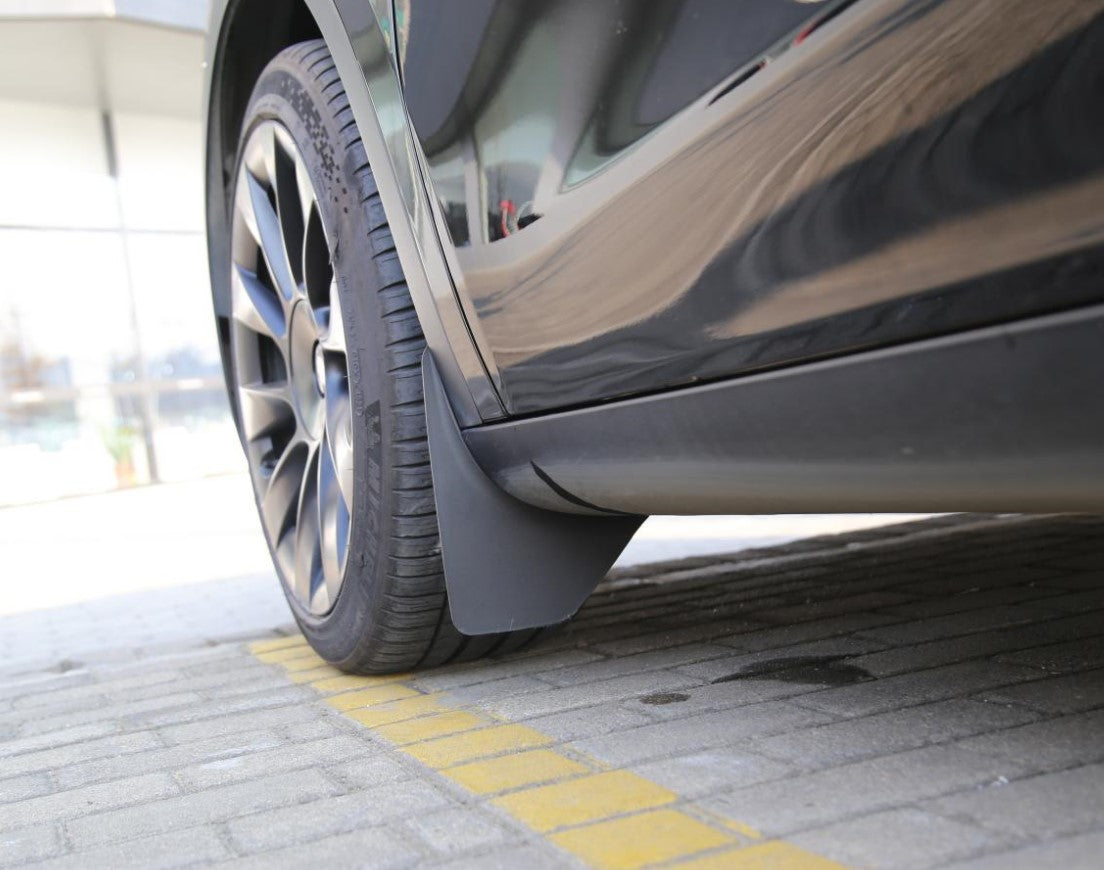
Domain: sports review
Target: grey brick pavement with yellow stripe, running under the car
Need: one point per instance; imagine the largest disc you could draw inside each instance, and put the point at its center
(926, 695)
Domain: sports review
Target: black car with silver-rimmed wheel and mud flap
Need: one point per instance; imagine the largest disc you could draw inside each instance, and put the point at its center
(496, 280)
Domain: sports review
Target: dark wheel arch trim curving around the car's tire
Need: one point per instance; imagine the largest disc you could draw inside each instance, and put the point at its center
(243, 36)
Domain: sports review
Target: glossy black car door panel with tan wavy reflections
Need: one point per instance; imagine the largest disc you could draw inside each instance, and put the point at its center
(636, 196)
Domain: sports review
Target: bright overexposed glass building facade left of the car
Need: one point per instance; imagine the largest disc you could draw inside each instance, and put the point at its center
(110, 374)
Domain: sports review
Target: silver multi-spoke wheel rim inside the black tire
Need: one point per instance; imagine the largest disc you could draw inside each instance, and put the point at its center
(291, 368)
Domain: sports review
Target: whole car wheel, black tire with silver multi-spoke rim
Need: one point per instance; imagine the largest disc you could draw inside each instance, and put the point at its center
(389, 611)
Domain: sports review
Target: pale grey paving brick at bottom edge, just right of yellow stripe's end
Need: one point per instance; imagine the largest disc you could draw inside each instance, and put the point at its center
(897, 840)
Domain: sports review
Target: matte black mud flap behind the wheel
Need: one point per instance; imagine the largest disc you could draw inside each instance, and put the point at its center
(508, 566)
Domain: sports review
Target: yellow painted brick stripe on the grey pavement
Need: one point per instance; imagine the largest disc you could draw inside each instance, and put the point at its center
(608, 819)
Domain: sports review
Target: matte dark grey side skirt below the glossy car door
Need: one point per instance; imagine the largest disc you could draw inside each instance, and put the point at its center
(1009, 418)
